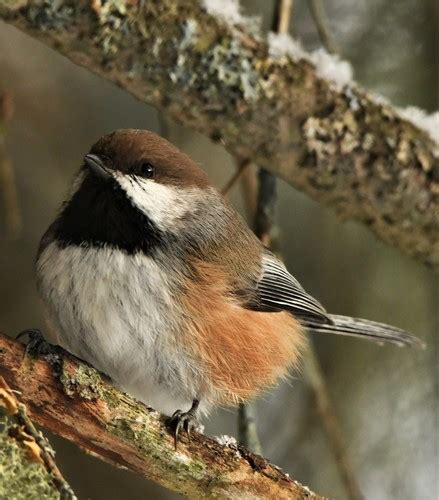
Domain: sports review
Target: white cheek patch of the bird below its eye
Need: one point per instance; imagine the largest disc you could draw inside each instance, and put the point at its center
(164, 205)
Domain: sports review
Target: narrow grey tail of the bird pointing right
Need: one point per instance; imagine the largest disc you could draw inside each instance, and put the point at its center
(363, 328)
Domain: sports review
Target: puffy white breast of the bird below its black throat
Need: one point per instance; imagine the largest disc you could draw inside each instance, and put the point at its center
(117, 312)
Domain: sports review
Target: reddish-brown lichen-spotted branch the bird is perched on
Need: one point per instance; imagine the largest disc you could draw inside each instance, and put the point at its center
(74, 401)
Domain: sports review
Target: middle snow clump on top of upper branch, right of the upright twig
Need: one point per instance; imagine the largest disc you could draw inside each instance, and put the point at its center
(328, 66)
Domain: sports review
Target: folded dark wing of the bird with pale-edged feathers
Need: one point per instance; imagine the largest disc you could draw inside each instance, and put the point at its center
(278, 290)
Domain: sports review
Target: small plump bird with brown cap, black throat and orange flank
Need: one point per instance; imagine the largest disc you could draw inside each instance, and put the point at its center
(148, 274)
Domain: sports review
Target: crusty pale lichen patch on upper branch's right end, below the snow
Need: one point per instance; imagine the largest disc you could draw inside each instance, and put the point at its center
(355, 127)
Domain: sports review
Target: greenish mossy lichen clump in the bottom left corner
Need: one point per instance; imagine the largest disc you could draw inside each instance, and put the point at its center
(20, 477)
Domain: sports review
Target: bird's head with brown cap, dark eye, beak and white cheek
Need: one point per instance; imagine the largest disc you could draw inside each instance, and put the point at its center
(156, 177)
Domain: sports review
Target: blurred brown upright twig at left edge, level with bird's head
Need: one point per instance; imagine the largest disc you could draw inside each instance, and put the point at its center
(7, 178)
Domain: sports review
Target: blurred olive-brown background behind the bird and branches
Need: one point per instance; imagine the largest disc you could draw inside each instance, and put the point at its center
(386, 398)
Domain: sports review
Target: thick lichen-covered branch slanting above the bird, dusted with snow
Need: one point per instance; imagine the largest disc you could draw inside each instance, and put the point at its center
(214, 72)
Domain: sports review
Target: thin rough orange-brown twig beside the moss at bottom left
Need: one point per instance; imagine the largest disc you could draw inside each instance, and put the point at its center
(36, 444)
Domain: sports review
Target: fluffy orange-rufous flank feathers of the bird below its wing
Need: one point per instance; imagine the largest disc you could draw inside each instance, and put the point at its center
(242, 351)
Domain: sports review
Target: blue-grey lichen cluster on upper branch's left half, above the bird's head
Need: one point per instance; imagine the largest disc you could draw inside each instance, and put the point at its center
(220, 66)
